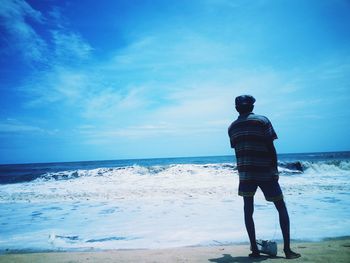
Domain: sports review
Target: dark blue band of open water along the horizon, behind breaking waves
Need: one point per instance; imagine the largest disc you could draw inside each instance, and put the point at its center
(15, 173)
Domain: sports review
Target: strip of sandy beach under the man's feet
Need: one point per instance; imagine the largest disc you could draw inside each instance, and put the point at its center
(334, 250)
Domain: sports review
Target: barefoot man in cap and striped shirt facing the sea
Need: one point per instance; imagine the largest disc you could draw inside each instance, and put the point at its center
(252, 138)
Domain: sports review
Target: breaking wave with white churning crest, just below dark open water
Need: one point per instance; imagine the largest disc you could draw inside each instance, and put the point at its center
(285, 168)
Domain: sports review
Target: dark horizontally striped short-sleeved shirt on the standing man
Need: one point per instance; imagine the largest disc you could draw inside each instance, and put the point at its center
(249, 135)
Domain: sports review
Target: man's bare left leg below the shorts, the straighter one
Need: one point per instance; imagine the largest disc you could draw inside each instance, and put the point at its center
(249, 223)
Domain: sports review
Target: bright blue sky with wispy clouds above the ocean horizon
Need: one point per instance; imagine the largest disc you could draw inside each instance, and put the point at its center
(95, 80)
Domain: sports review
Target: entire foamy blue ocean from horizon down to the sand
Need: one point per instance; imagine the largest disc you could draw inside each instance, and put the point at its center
(161, 203)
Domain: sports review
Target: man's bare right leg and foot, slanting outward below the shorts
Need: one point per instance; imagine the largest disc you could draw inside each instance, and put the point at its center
(284, 223)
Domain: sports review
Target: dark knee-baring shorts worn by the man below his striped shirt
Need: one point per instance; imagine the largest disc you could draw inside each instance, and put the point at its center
(271, 189)
